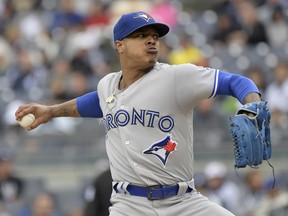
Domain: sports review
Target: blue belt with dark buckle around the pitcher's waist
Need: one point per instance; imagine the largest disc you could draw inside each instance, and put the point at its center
(156, 192)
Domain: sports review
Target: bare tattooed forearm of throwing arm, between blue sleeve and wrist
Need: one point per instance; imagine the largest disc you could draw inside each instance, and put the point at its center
(67, 109)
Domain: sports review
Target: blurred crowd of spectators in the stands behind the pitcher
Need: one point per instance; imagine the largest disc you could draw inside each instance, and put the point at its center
(55, 50)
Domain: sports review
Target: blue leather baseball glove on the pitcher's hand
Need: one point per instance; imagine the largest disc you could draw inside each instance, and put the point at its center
(251, 135)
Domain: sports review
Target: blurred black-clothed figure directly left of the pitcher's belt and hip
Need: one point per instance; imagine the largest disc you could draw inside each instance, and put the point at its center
(97, 195)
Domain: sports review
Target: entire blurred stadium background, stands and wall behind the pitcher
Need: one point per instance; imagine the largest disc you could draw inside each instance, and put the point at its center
(55, 50)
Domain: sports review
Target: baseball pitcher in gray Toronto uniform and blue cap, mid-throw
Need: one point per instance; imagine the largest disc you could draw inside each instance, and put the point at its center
(147, 108)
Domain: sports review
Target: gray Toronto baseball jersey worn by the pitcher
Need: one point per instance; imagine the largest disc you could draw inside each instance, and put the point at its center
(149, 124)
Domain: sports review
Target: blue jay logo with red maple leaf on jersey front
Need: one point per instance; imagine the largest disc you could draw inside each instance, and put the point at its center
(162, 149)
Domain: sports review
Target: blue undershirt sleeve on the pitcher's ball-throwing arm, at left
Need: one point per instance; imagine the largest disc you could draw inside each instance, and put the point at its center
(88, 105)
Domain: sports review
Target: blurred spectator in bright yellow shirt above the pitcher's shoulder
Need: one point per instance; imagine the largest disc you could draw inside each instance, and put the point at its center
(187, 52)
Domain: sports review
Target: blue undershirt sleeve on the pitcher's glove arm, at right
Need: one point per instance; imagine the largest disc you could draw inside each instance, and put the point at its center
(235, 85)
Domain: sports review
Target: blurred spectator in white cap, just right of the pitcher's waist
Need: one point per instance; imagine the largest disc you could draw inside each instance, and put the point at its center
(219, 189)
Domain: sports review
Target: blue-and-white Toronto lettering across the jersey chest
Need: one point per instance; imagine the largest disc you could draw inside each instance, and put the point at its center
(147, 118)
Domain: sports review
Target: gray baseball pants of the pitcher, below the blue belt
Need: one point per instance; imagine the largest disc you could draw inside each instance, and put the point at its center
(188, 204)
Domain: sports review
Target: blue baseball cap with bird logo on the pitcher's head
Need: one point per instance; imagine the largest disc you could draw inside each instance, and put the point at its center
(128, 23)
